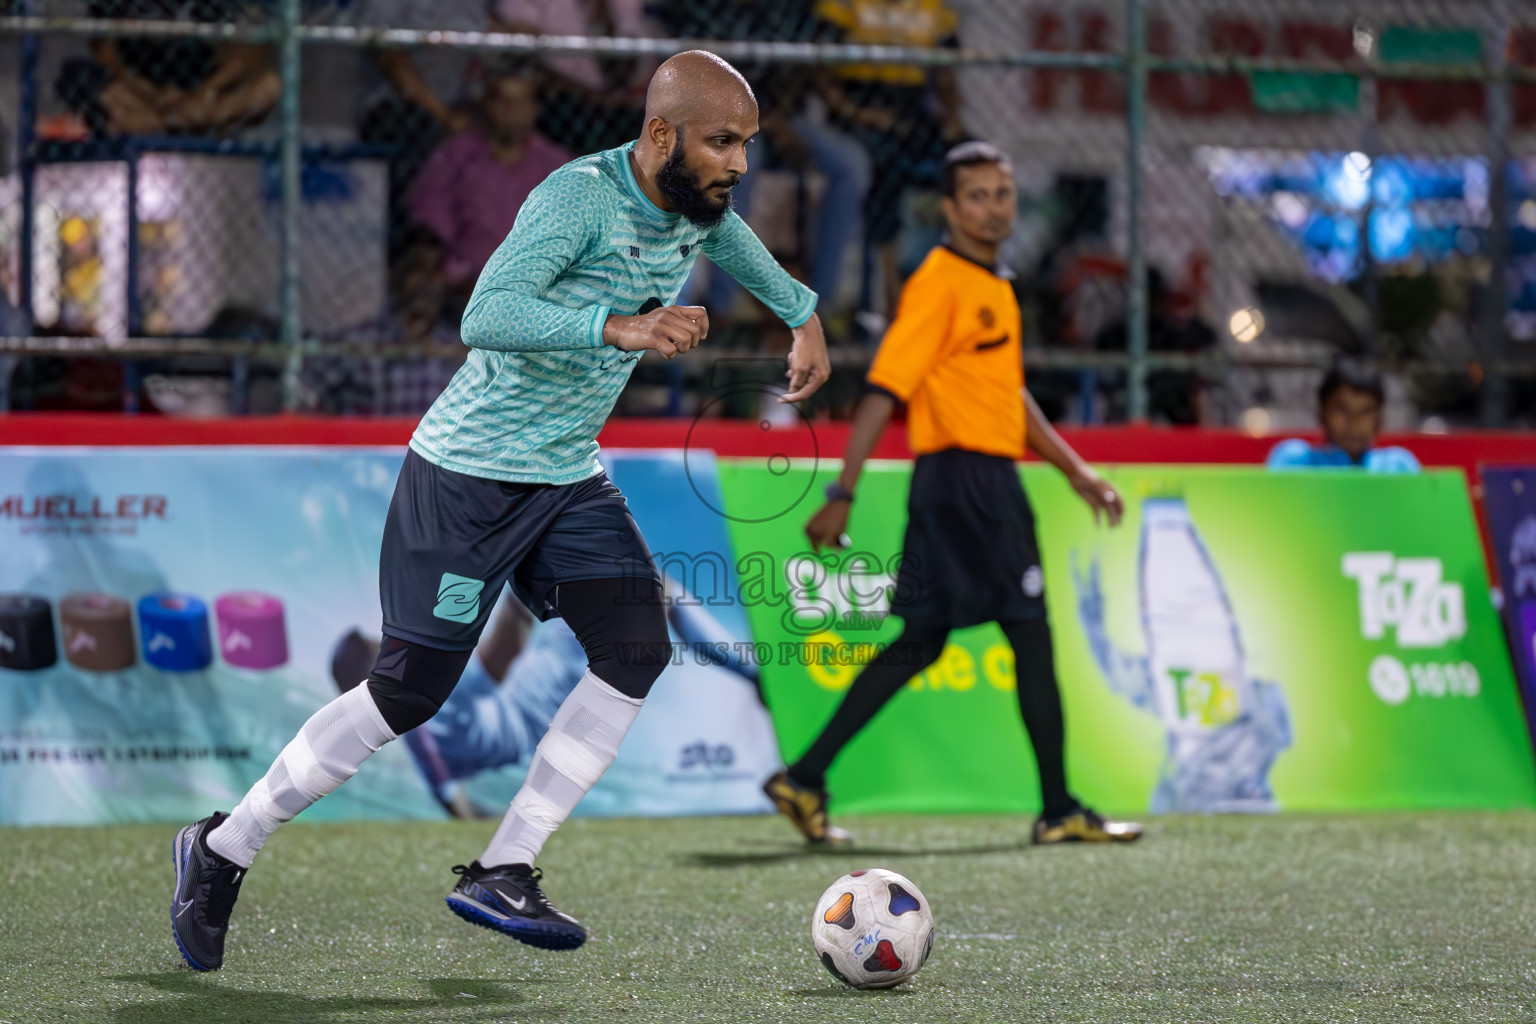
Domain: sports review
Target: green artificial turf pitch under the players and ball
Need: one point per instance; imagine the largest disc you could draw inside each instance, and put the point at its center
(1283, 919)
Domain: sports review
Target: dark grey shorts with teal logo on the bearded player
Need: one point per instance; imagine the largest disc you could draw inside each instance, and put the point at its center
(452, 541)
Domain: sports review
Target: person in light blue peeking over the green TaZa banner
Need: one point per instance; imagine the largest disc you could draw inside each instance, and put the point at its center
(1349, 412)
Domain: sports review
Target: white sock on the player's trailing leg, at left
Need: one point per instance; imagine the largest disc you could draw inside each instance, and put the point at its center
(325, 755)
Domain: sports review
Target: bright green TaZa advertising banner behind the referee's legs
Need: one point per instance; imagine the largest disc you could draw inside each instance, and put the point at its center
(1245, 641)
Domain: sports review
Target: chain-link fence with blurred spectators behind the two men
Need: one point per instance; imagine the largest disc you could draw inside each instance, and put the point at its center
(250, 206)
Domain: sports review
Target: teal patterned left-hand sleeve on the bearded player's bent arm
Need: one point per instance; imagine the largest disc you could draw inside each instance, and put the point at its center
(557, 228)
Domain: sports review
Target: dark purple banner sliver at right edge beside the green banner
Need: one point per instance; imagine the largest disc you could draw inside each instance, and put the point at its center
(1509, 498)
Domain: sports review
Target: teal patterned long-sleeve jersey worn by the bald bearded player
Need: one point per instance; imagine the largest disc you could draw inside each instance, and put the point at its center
(538, 385)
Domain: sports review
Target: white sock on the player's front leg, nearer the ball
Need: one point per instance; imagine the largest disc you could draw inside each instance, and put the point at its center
(583, 741)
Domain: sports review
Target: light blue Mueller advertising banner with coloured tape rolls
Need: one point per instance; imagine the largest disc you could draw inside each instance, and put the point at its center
(170, 618)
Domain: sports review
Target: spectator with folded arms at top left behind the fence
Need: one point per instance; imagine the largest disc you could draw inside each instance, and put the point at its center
(156, 87)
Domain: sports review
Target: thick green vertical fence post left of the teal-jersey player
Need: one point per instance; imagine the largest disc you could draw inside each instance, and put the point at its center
(293, 200)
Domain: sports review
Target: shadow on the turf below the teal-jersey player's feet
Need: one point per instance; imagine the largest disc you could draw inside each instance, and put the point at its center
(207, 1000)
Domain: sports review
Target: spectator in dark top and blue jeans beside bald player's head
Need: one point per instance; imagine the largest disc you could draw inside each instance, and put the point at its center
(795, 133)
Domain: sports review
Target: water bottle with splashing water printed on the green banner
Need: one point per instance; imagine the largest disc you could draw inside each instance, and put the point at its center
(1223, 727)
